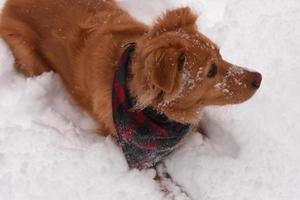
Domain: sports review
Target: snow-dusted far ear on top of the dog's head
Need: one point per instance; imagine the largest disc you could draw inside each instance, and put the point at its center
(173, 20)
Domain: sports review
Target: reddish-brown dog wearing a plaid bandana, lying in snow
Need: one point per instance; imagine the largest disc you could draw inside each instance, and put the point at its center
(173, 70)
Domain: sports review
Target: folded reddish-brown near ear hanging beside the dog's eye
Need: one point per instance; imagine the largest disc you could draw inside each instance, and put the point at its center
(164, 69)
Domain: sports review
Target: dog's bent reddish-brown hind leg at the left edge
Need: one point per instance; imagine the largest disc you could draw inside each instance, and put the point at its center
(24, 45)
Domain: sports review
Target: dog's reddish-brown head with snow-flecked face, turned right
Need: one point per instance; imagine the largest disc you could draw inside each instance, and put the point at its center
(178, 70)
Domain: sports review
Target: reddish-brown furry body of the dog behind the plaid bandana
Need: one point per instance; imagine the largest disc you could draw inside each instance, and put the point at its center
(79, 39)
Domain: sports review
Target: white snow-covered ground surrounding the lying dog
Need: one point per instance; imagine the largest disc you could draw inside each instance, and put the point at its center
(49, 149)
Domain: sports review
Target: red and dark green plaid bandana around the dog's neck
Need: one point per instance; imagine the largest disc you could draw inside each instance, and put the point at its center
(145, 136)
